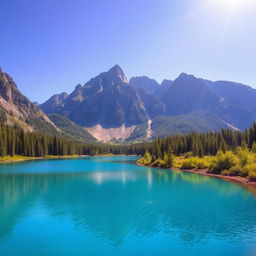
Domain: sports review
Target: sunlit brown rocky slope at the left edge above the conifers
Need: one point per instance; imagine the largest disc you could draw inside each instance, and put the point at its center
(16, 109)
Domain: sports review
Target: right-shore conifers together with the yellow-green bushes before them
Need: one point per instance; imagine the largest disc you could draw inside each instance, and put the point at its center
(227, 153)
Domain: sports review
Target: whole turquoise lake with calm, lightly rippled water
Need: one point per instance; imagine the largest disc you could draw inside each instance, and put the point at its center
(110, 206)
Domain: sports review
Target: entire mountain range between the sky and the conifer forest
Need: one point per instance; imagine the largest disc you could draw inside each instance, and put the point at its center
(109, 107)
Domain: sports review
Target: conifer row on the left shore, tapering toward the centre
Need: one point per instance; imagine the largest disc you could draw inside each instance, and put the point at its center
(14, 141)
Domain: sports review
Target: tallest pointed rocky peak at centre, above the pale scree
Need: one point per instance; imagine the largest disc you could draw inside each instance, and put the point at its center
(107, 100)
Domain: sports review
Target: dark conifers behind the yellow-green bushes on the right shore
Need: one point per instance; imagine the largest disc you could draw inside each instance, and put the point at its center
(201, 144)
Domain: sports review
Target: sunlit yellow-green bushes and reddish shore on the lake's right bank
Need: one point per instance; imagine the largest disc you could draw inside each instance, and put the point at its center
(239, 165)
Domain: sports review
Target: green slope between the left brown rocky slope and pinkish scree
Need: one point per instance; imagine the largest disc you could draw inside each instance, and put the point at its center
(70, 128)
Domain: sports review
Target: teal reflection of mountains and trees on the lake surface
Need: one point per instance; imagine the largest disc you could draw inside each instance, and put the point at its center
(131, 201)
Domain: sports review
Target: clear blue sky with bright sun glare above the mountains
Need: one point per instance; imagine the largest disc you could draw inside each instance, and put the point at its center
(49, 46)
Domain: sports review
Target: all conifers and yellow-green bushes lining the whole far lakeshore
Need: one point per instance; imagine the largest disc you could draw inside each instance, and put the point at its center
(227, 152)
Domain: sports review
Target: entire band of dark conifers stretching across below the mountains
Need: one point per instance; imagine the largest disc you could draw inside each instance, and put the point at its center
(14, 141)
